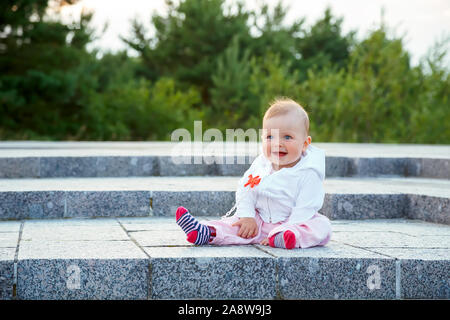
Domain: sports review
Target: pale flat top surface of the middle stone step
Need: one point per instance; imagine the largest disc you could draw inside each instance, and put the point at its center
(418, 186)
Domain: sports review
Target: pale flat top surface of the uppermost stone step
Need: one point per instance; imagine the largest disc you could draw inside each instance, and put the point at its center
(84, 148)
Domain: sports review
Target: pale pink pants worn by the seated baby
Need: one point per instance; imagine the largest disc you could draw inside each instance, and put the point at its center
(314, 232)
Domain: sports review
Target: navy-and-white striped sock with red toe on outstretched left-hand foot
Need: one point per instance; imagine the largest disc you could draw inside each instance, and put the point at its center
(196, 232)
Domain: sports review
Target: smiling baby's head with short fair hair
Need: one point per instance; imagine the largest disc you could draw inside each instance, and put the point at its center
(285, 133)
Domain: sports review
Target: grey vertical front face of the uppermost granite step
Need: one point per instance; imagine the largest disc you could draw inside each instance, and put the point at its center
(123, 166)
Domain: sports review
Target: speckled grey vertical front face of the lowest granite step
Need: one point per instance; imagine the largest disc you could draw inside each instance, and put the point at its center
(269, 278)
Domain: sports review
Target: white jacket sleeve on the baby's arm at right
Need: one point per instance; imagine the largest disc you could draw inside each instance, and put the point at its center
(310, 198)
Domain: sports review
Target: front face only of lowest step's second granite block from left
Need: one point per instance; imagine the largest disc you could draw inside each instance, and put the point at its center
(73, 279)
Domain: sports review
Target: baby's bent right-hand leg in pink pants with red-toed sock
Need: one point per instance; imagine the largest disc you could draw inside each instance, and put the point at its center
(314, 232)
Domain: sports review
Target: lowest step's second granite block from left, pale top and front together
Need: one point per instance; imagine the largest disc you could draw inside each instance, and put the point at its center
(82, 270)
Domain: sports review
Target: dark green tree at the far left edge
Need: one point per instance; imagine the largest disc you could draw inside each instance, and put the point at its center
(39, 88)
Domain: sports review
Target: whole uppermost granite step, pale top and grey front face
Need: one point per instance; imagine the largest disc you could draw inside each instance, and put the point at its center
(123, 159)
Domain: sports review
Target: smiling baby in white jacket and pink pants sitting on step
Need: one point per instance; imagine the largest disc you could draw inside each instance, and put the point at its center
(278, 198)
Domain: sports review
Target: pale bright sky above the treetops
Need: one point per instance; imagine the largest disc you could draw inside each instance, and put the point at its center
(420, 22)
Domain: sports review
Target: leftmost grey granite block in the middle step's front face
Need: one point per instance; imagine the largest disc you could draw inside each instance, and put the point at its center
(32, 204)
